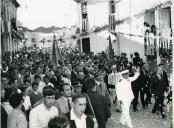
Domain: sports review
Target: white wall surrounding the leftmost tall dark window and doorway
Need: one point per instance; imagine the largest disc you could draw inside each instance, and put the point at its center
(98, 42)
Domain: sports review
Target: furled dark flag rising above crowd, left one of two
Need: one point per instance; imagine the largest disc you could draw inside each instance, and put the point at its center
(55, 54)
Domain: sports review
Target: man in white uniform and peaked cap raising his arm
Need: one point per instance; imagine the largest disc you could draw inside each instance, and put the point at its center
(125, 95)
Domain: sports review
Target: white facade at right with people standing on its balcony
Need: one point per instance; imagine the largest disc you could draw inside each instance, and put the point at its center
(145, 29)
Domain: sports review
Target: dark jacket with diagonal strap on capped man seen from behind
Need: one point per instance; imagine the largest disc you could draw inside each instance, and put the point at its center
(100, 107)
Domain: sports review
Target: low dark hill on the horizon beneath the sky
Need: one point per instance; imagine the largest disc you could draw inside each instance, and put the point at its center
(46, 30)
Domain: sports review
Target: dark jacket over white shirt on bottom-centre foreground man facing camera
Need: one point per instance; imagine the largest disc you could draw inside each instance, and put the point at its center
(89, 122)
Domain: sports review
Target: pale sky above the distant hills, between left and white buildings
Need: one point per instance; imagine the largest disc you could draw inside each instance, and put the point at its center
(46, 13)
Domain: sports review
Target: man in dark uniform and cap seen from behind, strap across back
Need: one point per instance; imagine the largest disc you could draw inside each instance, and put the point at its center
(96, 104)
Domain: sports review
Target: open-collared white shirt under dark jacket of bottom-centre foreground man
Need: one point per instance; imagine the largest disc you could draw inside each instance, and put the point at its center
(80, 123)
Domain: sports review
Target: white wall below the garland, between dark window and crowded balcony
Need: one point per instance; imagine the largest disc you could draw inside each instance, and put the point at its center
(131, 44)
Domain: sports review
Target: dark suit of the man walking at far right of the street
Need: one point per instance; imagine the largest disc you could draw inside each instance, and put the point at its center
(158, 87)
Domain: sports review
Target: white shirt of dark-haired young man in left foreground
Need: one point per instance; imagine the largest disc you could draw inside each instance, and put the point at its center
(40, 116)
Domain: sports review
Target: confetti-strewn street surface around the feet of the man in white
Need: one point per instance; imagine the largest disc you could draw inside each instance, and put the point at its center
(140, 119)
